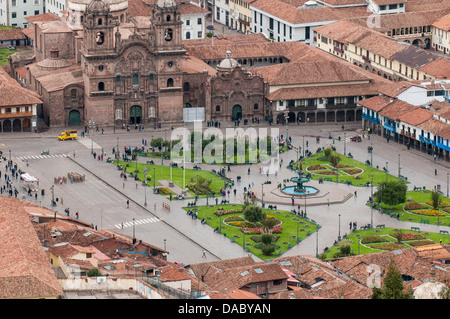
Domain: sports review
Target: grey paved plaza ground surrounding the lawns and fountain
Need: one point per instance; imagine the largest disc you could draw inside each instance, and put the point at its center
(101, 199)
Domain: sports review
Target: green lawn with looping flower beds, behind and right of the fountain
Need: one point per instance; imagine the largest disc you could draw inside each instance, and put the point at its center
(360, 176)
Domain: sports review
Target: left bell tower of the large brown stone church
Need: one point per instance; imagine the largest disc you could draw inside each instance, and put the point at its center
(99, 27)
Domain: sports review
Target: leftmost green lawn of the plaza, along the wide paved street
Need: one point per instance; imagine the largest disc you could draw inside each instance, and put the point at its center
(175, 174)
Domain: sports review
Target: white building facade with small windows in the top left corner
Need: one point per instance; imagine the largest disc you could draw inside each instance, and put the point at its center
(13, 12)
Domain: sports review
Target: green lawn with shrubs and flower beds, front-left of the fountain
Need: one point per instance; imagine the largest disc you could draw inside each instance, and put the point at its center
(285, 240)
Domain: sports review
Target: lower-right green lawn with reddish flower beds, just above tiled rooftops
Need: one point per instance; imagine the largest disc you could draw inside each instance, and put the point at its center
(378, 240)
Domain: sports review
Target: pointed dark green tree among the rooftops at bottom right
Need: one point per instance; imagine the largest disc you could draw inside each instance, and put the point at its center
(392, 287)
